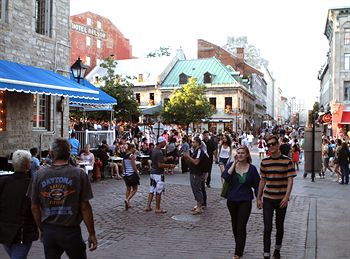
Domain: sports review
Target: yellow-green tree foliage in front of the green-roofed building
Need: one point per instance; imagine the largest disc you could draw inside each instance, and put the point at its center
(187, 104)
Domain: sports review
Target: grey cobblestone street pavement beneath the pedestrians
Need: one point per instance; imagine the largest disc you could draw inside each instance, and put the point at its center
(315, 226)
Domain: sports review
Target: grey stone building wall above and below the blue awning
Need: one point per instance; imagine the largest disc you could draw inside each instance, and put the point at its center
(40, 40)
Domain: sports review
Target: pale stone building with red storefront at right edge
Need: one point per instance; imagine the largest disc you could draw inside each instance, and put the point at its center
(335, 75)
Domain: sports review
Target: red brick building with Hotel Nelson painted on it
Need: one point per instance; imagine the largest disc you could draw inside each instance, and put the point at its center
(94, 38)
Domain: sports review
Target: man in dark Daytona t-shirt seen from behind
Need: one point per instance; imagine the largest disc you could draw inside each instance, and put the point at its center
(60, 197)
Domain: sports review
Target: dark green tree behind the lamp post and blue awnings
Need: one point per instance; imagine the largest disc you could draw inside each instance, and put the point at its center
(127, 107)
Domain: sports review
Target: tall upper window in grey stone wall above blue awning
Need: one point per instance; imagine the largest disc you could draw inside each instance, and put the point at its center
(43, 17)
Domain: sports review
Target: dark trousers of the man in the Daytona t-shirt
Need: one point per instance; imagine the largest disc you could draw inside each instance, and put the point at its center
(59, 239)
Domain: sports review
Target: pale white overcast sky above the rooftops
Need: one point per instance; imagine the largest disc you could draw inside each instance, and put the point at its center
(289, 33)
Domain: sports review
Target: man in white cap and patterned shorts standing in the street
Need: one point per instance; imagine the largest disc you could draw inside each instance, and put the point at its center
(157, 175)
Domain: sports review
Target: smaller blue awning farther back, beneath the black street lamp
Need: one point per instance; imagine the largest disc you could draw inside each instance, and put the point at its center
(104, 100)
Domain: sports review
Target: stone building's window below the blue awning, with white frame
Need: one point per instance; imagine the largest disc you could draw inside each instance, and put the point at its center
(40, 111)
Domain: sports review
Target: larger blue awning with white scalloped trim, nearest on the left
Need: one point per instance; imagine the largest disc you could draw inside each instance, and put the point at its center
(16, 77)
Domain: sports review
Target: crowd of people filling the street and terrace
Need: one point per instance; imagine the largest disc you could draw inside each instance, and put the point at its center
(56, 196)
